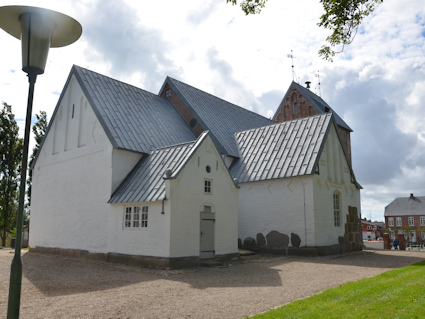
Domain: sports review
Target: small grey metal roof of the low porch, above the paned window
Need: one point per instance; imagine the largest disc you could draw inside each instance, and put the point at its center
(145, 183)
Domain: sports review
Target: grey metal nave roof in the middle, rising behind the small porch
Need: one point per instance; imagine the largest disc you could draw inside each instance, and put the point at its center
(221, 118)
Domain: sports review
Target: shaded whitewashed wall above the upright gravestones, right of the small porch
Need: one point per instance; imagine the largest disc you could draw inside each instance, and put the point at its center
(284, 205)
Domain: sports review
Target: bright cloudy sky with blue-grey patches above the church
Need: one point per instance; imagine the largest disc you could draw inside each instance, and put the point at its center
(377, 85)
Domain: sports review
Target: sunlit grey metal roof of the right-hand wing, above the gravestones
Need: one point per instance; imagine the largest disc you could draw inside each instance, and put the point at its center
(286, 149)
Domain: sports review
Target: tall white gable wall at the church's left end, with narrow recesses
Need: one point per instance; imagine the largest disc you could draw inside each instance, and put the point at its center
(72, 179)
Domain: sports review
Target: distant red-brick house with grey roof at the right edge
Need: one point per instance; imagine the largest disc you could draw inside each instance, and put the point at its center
(404, 215)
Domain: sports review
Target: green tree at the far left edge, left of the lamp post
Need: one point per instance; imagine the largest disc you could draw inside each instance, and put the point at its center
(11, 147)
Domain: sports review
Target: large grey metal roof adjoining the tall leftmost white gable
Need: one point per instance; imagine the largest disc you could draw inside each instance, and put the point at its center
(132, 118)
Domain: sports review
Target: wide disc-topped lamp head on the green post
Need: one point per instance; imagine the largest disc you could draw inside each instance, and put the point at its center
(39, 29)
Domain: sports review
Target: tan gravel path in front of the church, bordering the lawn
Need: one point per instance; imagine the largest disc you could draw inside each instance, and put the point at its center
(64, 287)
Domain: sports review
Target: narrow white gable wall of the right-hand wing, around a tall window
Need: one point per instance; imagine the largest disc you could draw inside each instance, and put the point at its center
(334, 176)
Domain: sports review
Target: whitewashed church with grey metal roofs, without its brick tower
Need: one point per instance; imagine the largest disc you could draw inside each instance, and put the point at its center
(167, 180)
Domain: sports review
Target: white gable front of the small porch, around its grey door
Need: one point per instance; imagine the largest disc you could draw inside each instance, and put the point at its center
(187, 199)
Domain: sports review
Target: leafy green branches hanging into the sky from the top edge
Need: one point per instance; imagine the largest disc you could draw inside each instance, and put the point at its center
(342, 17)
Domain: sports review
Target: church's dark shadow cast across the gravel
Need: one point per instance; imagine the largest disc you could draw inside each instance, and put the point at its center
(57, 275)
